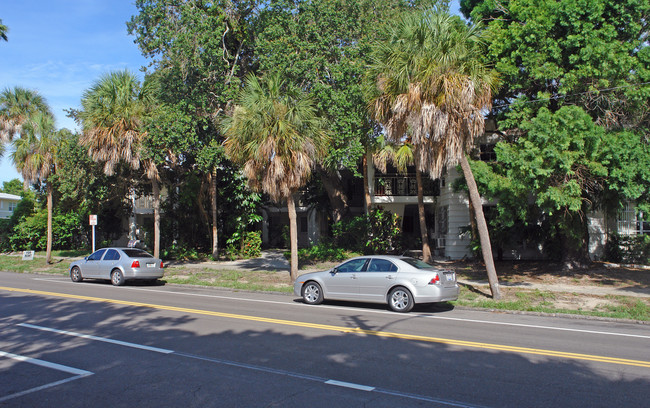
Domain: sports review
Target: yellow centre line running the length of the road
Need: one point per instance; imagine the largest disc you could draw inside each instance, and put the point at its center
(402, 336)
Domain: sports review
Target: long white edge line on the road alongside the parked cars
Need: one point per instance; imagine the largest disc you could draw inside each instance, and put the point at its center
(428, 316)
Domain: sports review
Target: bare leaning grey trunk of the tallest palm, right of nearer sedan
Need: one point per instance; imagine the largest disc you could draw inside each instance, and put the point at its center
(484, 236)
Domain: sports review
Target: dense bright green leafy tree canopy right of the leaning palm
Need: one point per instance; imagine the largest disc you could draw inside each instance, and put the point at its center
(576, 84)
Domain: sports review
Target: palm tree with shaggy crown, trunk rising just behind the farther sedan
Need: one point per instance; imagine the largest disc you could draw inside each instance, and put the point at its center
(113, 116)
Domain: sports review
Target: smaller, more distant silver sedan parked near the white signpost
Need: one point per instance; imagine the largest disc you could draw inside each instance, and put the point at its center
(117, 265)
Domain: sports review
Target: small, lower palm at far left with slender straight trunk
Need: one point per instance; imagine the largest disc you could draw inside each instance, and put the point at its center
(35, 157)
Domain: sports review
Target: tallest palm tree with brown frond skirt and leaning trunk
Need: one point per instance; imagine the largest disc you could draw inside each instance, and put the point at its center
(429, 81)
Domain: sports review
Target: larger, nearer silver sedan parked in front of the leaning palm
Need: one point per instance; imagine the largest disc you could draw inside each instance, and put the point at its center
(401, 282)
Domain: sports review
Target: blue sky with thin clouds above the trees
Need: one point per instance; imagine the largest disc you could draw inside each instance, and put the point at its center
(61, 47)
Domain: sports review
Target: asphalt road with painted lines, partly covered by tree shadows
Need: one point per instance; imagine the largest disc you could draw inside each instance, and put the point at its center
(95, 345)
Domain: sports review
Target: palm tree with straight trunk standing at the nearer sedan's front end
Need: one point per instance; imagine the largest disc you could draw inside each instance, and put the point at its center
(276, 134)
